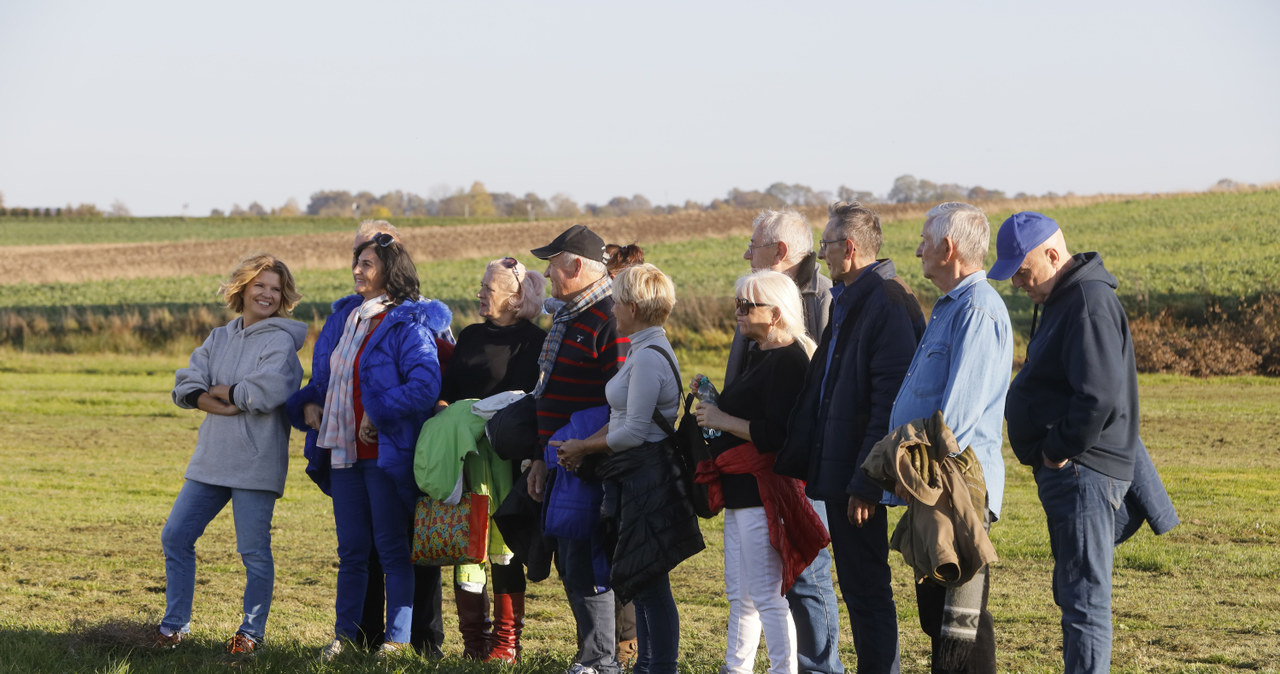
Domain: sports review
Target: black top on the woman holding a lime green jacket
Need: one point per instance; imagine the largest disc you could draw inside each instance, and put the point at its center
(491, 360)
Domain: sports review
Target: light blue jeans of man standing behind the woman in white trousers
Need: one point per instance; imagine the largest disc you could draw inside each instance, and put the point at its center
(816, 613)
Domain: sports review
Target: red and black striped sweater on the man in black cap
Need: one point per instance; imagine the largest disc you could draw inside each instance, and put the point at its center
(589, 355)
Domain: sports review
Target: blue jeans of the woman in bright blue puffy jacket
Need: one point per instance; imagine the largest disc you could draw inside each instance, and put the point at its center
(371, 506)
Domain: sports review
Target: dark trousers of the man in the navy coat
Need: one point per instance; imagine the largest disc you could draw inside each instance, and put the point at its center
(867, 584)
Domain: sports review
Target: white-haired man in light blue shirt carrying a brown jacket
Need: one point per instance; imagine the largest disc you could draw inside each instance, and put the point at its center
(962, 369)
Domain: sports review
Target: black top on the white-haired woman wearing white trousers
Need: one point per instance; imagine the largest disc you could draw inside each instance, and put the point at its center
(764, 396)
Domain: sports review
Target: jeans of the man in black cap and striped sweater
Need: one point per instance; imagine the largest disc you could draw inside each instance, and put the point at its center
(593, 608)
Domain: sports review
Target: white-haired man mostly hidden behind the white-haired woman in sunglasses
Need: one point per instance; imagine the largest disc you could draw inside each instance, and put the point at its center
(783, 241)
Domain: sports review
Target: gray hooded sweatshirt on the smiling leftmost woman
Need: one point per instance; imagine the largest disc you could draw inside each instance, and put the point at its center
(252, 450)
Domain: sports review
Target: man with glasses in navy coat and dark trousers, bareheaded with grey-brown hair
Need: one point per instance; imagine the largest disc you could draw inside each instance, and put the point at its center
(844, 411)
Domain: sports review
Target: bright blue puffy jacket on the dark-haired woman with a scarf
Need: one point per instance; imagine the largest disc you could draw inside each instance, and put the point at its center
(400, 382)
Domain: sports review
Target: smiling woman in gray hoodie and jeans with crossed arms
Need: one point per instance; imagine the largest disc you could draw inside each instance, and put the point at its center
(241, 378)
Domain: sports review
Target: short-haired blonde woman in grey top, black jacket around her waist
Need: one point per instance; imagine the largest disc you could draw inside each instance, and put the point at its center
(639, 470)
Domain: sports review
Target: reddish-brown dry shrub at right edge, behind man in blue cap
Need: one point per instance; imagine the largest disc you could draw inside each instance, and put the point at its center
(1244, 342)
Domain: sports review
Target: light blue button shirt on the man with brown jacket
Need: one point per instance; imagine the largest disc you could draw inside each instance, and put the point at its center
(963, 369)
